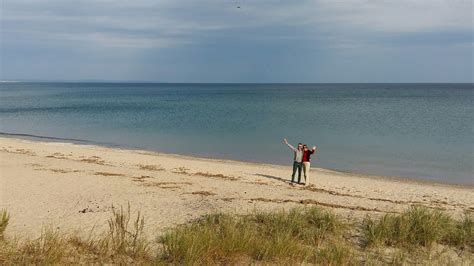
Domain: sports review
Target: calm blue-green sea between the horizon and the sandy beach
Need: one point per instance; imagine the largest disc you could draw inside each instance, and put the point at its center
(414, 130)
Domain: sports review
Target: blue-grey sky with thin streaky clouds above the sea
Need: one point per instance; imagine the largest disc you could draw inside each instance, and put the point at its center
(237, 41)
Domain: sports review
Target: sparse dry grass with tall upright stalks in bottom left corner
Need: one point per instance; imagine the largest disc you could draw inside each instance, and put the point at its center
(124, 242)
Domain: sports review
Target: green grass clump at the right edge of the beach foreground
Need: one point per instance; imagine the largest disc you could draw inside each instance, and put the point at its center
(418, 227)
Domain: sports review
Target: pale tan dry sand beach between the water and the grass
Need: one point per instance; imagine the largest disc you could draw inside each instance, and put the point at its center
(73, 187)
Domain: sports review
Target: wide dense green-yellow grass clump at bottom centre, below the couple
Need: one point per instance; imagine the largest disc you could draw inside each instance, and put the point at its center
(294, 236)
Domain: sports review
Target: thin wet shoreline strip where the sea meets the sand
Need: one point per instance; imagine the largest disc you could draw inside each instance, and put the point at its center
(46, 139)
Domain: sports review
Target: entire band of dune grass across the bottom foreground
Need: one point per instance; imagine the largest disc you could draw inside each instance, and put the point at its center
(303, 235)
